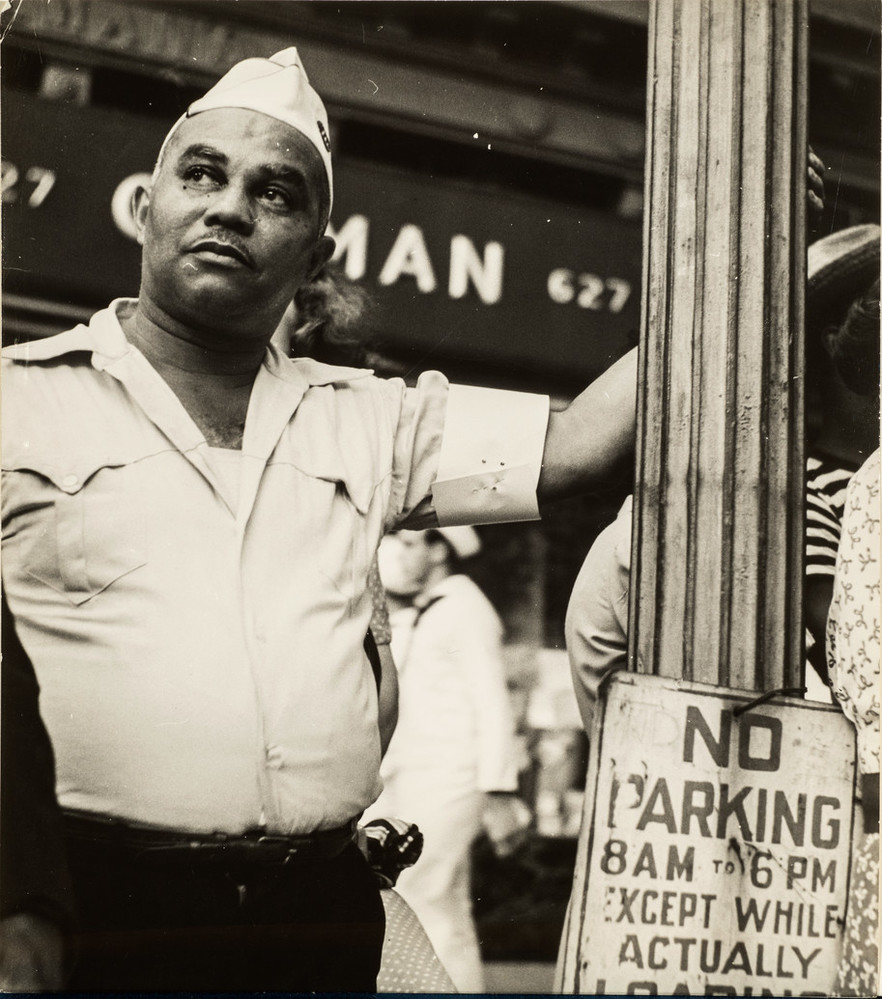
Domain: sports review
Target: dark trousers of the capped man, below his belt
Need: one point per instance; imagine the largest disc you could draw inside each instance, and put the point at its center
(313, 925)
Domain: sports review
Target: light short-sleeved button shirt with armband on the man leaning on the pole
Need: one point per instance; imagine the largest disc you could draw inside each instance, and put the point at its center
(200, 653)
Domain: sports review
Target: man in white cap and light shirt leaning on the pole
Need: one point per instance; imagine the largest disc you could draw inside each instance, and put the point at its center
(189, 518)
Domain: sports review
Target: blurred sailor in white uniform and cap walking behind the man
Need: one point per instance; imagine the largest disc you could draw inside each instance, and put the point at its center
(452, 765)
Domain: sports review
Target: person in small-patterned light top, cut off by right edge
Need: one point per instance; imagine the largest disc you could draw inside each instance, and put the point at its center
(853, 659)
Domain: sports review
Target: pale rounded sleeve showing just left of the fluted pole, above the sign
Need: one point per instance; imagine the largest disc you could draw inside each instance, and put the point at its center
(597, 614)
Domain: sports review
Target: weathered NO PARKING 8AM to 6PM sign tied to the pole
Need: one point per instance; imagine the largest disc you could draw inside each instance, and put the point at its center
(714, 857)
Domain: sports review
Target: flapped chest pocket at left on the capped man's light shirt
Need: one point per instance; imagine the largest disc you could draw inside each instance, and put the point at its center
(77, 528)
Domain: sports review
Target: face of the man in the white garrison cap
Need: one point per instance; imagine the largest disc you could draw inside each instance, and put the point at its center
(230, 229)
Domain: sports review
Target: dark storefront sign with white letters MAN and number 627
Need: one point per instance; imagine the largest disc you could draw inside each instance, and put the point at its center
(457, 269)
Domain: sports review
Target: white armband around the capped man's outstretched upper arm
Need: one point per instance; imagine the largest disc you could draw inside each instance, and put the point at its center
(491, 456)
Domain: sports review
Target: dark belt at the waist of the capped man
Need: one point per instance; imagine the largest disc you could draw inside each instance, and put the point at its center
(254, 847)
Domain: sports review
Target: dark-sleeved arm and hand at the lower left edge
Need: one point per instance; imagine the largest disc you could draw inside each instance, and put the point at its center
(35, 894)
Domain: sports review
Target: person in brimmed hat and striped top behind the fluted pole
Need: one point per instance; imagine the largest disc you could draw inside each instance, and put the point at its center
(842, 380)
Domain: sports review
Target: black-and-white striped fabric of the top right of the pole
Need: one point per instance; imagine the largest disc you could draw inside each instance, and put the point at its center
(826, 481)
